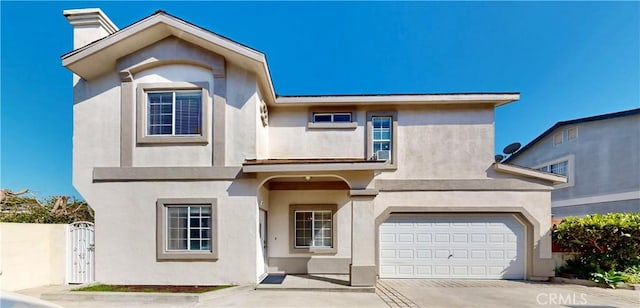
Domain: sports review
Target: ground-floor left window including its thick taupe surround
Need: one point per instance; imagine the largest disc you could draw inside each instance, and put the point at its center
(186, 229)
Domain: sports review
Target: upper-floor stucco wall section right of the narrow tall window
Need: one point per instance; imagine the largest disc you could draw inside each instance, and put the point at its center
(443, 143)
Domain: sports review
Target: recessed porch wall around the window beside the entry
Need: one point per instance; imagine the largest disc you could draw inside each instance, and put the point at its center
(282, 258)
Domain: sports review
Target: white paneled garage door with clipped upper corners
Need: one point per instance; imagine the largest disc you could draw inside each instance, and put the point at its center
(454, 246)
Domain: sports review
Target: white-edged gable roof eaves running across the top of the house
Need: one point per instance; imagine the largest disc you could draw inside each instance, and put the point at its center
(100, 56)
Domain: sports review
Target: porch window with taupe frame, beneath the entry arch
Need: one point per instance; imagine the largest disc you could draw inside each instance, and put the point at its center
(313, 228)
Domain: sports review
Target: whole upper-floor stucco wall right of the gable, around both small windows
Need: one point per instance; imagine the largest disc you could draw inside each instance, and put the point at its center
(433, 142)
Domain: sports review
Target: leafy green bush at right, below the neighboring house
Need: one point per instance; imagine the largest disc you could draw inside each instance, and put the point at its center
(605, 242)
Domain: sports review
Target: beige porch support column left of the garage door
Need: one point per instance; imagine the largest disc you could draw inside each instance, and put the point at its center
(363, 238)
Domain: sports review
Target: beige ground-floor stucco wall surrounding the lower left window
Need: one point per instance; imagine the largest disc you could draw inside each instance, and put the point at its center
(125, 233)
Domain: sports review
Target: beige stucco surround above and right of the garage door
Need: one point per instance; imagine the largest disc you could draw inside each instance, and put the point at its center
(533, 207)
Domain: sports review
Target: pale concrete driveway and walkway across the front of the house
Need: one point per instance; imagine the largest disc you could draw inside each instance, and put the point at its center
(389, 293)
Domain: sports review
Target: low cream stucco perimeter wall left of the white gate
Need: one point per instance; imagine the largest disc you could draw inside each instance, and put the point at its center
(32, 255)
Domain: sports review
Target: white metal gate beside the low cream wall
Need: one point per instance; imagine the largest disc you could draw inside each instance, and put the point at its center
(80, 253)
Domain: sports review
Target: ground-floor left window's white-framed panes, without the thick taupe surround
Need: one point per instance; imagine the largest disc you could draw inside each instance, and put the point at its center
(188, 228)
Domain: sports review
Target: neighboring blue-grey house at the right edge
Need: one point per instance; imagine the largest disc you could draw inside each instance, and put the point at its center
(599, 155)
